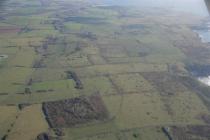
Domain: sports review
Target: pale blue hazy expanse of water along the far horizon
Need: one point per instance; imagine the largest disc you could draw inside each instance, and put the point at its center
(196, 7)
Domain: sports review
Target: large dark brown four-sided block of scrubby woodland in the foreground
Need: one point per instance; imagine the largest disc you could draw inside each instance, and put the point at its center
(67, 113)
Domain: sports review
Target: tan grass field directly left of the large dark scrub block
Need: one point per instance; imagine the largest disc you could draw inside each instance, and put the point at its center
(29, 124)
